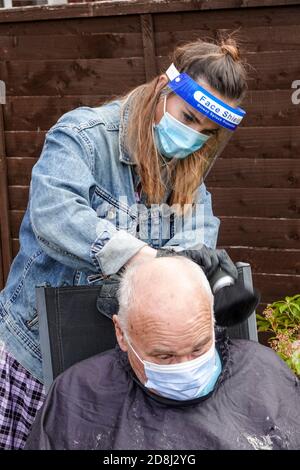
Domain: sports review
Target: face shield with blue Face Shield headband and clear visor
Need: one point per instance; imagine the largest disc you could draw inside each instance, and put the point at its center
(226, 117)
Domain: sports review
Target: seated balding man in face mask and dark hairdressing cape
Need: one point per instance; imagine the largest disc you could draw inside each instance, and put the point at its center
(174, 381)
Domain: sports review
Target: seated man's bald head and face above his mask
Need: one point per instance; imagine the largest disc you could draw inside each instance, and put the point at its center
(166, 311)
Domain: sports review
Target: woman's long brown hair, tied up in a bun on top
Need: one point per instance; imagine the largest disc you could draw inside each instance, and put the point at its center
(218, 65)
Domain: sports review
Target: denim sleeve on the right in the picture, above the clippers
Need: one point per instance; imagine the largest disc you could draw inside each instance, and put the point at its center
(198, 227)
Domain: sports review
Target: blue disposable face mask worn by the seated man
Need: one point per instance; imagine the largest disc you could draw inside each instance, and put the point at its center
(186, 380)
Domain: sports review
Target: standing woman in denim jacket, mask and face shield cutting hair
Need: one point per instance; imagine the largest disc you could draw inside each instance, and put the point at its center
(96, 200)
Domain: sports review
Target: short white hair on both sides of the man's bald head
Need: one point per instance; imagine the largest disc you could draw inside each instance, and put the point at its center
(126, 292)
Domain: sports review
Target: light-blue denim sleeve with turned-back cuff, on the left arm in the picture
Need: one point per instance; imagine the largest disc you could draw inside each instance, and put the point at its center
(64, 223)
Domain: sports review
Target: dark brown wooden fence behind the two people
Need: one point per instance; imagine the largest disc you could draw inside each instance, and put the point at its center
(53, 59)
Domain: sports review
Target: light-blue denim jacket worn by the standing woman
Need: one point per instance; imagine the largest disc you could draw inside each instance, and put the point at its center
(82, 221)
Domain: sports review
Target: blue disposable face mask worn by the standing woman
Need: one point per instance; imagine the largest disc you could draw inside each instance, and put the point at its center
(175, 139)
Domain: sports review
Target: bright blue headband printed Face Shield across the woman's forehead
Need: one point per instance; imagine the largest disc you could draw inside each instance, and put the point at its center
(209, 105)
